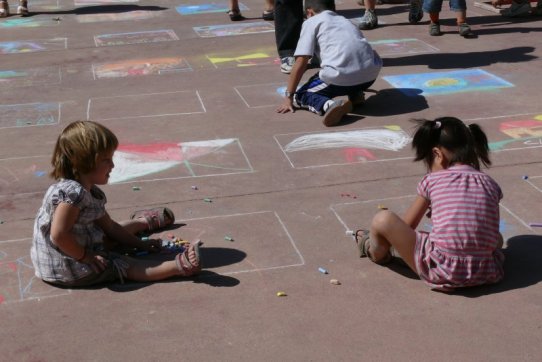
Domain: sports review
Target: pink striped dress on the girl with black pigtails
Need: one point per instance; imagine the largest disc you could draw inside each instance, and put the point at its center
(462, 248)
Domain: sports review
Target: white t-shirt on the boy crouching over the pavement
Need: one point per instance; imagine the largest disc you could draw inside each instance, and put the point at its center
(346, 56)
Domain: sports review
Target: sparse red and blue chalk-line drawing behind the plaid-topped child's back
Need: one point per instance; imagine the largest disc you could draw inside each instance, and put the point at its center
(18, 281)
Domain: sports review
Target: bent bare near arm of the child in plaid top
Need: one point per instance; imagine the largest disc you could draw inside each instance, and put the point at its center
(62, 236)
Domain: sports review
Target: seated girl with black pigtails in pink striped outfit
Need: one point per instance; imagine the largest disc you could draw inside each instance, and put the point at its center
(463, 248)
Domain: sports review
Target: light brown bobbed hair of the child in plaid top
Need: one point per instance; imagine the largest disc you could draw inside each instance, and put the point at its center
(78, 147)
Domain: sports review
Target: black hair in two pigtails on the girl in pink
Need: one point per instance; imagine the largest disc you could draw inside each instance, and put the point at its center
(467, 144)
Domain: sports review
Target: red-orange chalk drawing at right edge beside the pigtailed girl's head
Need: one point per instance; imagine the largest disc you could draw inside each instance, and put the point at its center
(523, 132)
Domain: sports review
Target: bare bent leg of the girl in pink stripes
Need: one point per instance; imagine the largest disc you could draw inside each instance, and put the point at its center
(388, 229)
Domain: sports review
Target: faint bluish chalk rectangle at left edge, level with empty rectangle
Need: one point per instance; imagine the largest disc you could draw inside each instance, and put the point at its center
(30, 114)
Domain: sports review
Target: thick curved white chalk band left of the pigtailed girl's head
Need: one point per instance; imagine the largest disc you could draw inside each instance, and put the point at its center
(379, 139)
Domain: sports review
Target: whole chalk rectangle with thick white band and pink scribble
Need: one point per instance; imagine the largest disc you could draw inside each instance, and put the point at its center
(338, 148)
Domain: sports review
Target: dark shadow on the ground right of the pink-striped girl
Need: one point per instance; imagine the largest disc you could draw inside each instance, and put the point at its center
(522, 267)
